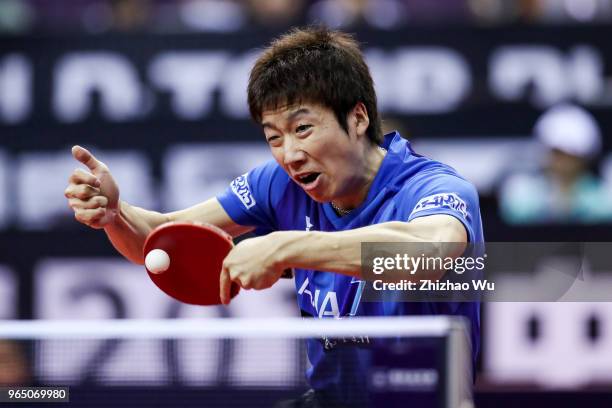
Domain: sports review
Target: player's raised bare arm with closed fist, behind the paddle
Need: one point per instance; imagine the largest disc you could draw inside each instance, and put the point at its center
(94, 197)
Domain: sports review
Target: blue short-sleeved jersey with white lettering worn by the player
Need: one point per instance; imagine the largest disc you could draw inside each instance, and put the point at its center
(406, 186)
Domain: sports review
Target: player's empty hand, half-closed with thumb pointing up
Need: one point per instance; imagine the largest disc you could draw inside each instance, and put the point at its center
(93, 194)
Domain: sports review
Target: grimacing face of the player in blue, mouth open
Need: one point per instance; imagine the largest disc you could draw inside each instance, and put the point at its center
(316, 152)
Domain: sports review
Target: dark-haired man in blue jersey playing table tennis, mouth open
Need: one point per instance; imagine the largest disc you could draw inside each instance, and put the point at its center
(334, 183)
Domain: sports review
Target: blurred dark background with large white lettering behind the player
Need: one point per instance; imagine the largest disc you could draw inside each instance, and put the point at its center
(517, 95)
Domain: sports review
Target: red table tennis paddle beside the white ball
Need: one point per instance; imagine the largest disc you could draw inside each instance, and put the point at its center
(196, 253)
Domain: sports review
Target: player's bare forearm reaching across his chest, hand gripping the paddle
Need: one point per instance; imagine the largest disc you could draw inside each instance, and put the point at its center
(257, 263)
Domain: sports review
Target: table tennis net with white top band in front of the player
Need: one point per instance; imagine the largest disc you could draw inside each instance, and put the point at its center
(224, 362)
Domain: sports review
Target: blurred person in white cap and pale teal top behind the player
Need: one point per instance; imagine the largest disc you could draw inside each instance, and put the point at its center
(562, 190)
